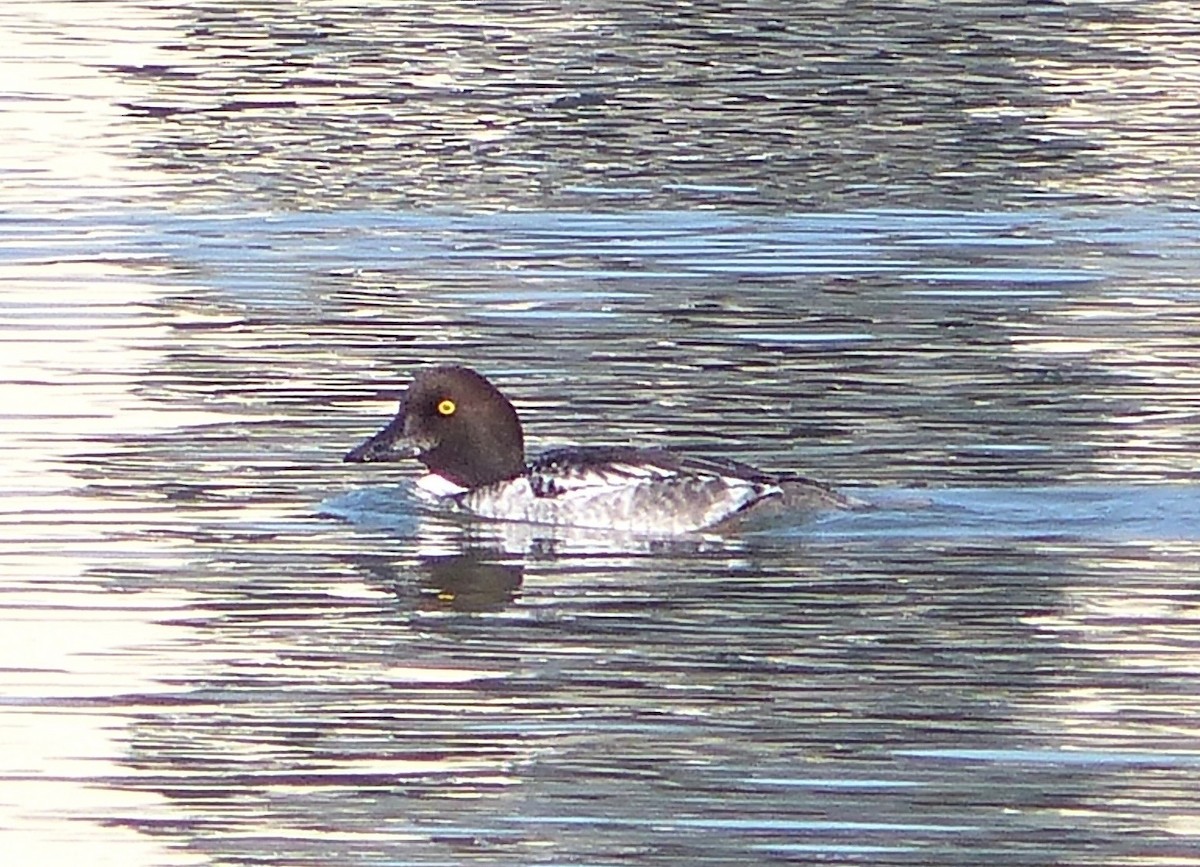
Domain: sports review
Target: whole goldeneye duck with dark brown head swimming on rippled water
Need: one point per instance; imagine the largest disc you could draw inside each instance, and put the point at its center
(470, 438)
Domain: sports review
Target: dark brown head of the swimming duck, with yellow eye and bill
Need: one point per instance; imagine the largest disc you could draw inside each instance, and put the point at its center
(458, 424)
